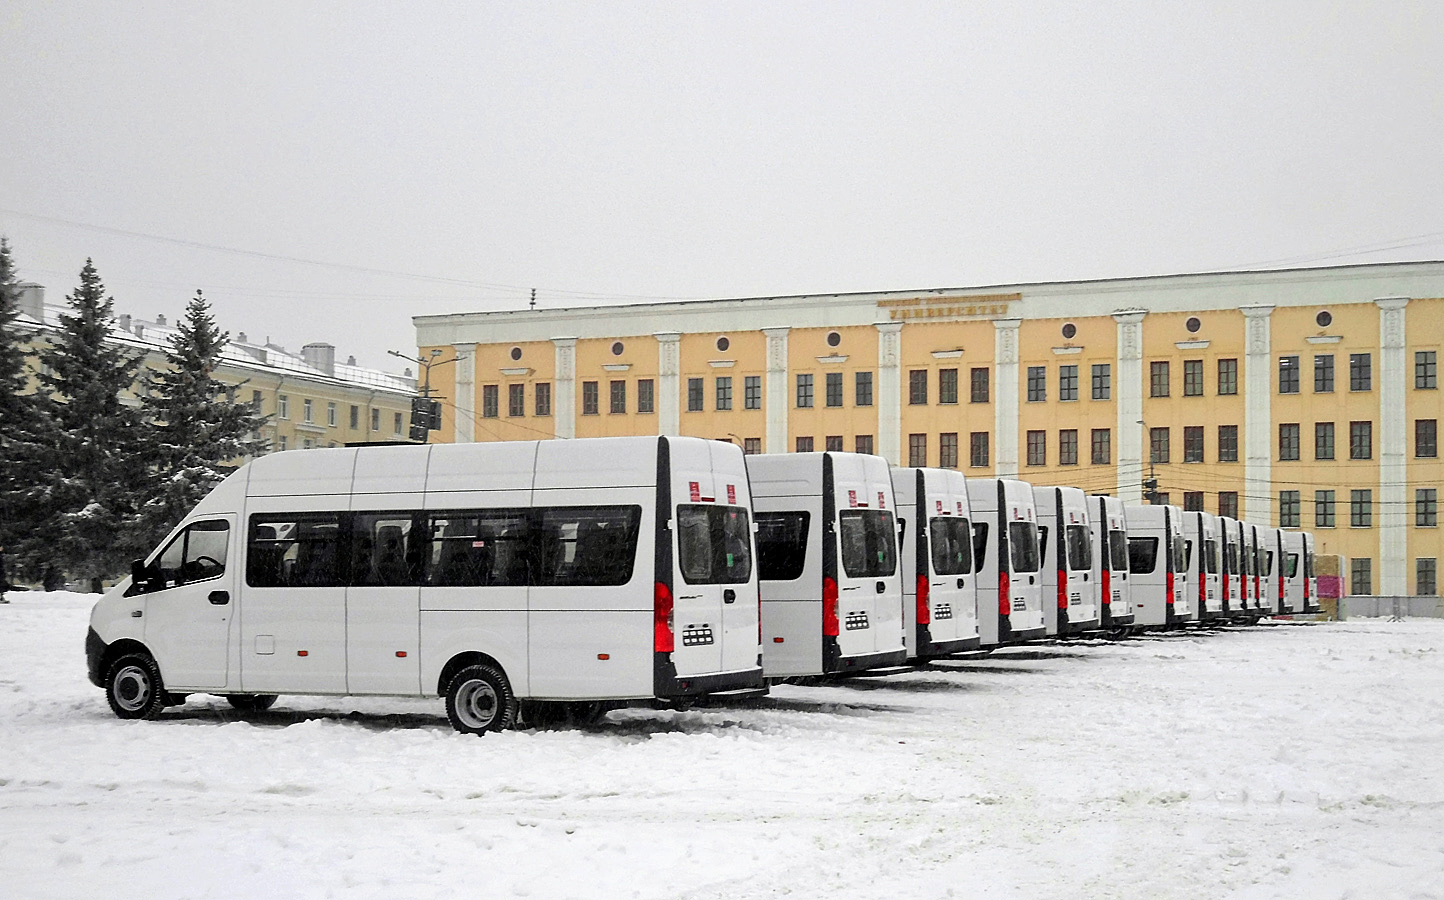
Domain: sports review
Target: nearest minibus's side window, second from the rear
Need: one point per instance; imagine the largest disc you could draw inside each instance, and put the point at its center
(471, 548)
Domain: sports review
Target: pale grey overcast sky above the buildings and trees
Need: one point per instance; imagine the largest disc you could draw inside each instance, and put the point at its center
(324, 173)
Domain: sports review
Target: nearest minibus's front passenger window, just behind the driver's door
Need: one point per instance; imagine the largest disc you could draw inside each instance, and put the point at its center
(295, 551)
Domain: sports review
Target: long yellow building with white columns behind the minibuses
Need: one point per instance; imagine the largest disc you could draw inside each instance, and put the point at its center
(1303, 398)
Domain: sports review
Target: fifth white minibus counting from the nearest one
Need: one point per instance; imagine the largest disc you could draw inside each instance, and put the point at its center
(1069, 590)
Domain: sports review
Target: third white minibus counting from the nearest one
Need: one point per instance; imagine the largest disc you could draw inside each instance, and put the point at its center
(939, 587)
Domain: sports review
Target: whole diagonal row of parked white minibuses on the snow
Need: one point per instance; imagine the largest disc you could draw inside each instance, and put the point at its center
(570, 576)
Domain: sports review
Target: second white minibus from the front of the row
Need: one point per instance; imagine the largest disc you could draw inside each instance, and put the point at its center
(828, 561)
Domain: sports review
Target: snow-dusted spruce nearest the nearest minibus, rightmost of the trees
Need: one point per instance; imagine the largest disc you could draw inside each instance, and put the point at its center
(199, 430)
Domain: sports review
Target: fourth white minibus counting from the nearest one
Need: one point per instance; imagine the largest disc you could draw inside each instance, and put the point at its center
(1007, 561)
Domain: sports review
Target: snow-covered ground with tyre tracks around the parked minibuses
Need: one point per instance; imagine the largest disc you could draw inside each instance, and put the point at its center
(1300, 762)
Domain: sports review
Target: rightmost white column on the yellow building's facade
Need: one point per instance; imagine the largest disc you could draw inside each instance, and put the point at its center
(1394, 449)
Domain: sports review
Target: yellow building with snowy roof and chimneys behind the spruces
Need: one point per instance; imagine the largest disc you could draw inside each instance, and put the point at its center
(308, 399)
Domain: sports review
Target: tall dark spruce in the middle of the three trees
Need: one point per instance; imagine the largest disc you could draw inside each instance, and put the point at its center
(99, 441)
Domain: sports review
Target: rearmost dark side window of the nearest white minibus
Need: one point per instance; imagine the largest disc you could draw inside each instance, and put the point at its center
(586, 547)
